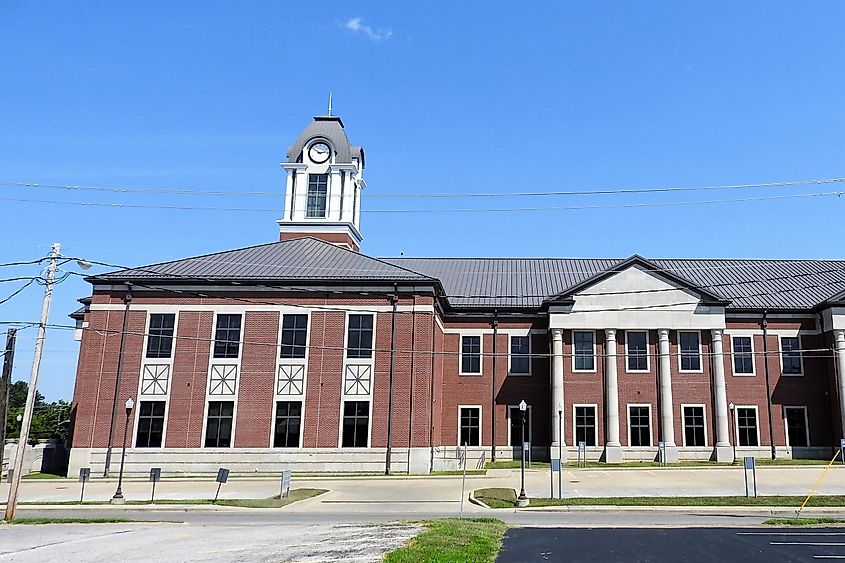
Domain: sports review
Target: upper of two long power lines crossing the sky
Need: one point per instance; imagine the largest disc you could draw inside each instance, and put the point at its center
(427, 195)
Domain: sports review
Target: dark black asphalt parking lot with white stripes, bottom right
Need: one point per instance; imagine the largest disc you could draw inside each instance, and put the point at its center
(673, 545)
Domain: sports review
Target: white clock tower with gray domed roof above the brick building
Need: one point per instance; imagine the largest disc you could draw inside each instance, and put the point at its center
(323, 185)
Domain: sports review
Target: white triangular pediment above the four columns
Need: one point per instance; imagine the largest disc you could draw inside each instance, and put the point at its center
(637, 298)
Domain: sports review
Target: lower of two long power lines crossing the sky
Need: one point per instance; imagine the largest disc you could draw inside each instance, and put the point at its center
(431, 211)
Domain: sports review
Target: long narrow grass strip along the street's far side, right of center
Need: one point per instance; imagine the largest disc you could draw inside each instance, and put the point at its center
(506, 498)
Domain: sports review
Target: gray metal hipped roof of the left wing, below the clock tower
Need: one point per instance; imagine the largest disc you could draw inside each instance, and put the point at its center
(307, 259)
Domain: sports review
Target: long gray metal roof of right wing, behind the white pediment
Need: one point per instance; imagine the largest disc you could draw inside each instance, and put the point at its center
(527, 282)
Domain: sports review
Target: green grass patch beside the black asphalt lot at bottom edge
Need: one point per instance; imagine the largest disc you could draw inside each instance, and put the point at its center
(452, 540)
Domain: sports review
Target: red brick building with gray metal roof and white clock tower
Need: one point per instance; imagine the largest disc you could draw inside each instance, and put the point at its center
(307, 353)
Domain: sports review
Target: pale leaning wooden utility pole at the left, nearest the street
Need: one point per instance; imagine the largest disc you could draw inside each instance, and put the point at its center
(33, 384)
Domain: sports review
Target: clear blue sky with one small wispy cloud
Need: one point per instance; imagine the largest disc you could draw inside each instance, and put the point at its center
(470, 97)
